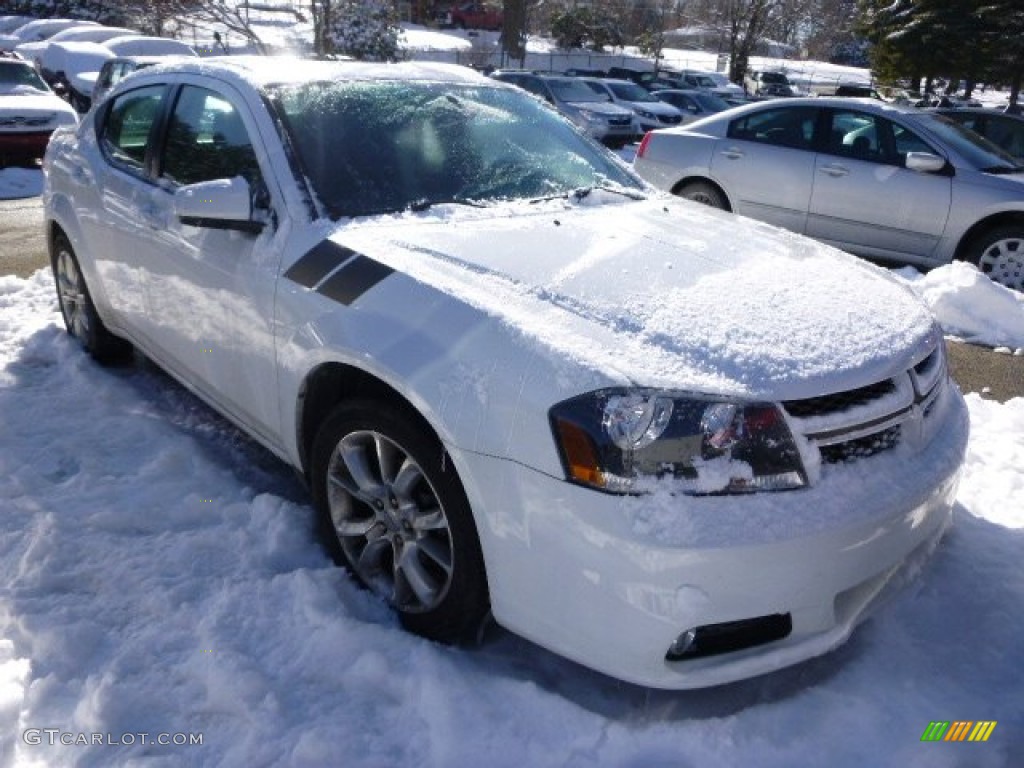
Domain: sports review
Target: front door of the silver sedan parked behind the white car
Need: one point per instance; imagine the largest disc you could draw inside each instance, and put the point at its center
(865, 200)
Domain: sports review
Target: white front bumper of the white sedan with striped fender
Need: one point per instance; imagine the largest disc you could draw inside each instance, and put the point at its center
(612, 582)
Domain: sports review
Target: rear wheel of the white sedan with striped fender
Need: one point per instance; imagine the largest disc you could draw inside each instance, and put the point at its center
(77, 309)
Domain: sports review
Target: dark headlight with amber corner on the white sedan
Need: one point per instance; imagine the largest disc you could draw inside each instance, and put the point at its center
(620, 440)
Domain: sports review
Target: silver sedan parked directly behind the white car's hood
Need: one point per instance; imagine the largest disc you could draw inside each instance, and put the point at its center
(880, 182)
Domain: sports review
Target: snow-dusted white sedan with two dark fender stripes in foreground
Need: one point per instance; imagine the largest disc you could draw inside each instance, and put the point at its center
(516, 382)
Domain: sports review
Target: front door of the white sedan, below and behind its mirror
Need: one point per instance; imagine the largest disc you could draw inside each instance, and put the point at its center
(210, 290)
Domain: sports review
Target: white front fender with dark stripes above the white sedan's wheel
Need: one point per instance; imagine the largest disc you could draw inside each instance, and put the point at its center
(484, 386)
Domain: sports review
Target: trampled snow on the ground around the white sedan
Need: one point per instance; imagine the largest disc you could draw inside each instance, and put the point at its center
(159, 575)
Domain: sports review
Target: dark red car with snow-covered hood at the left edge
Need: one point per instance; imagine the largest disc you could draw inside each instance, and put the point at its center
(30, 112)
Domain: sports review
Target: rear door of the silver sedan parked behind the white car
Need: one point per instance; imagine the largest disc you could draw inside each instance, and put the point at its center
(766, 164)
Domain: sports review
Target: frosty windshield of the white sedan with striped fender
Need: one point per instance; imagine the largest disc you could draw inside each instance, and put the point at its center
(382, 147)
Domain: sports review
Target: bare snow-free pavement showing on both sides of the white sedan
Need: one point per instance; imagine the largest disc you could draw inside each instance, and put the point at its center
(976, 369)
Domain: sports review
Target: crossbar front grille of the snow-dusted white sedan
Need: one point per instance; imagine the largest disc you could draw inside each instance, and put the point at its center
(859, 423)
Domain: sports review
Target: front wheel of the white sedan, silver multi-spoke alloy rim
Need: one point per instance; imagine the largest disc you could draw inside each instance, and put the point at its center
(395, 514)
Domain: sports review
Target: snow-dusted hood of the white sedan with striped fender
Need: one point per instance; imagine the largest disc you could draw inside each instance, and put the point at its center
(666, 293)
